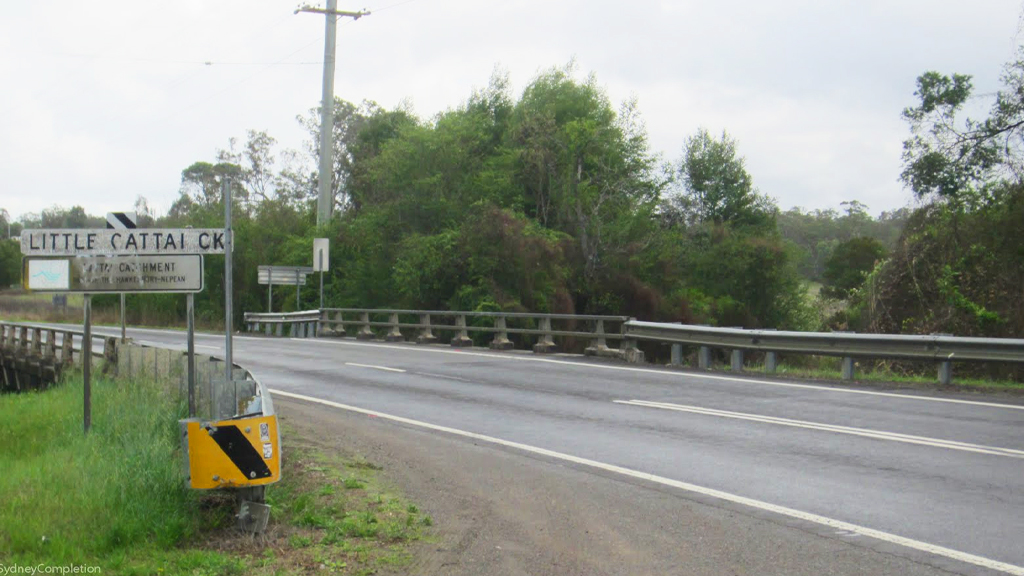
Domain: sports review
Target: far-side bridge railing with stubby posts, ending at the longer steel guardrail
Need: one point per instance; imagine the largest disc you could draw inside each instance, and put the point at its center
(327, 321)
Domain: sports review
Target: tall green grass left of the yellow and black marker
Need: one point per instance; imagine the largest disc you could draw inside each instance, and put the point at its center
(66, 496)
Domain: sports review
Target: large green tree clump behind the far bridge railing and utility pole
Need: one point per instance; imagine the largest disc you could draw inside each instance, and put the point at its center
(551, 201)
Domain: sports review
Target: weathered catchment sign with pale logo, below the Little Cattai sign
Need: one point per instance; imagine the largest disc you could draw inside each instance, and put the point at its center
(173, 273)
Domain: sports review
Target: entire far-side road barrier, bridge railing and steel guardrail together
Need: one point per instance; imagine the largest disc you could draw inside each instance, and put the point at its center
(942, 349)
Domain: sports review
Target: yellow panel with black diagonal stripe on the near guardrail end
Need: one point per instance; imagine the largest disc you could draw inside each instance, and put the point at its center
(234, 454)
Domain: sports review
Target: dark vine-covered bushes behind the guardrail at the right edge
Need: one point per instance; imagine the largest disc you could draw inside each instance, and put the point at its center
(955, 272)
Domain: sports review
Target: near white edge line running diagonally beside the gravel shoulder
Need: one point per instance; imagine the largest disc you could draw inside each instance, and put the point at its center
(743, 501)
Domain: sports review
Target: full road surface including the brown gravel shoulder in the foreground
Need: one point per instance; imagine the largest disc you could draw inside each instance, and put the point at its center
(647, 462)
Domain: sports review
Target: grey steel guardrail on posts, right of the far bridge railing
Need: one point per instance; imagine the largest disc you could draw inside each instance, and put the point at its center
(938, 348)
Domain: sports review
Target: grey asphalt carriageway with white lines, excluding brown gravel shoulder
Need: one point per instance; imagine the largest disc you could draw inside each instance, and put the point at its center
(931, 479)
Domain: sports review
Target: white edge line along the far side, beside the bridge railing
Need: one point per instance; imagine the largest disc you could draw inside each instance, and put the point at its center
(666, 374)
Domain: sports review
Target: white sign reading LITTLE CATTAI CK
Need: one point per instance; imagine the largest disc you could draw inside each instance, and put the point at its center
(81, 242)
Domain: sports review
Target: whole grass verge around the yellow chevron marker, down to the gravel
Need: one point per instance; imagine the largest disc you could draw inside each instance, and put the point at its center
(116, 499)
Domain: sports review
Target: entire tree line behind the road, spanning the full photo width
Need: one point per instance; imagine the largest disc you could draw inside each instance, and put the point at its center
(552, 201)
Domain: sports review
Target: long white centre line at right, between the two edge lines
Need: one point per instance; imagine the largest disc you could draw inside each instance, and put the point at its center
(867, 433)
